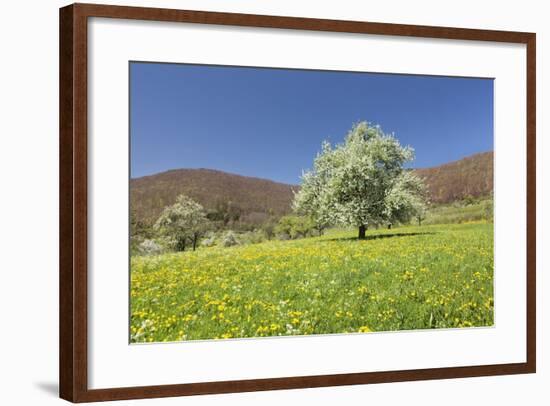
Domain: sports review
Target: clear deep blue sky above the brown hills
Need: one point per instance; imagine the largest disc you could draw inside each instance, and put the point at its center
(270, 123)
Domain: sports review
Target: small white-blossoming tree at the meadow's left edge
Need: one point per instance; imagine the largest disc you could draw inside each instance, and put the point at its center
(184, 220)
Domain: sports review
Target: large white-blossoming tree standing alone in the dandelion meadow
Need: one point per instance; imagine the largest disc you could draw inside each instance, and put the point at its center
(361, 182)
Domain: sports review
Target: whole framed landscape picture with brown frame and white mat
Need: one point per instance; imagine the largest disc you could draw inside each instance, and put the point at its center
(254, 202)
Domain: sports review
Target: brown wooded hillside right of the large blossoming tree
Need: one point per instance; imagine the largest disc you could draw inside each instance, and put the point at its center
(472, 175)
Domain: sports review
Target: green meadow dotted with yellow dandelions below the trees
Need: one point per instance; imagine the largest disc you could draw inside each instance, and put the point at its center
(436, 276)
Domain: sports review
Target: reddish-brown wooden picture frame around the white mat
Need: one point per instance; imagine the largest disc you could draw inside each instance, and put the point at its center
(73, 207)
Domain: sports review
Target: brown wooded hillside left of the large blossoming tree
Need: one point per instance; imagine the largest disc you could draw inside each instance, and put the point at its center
(255, 198)
